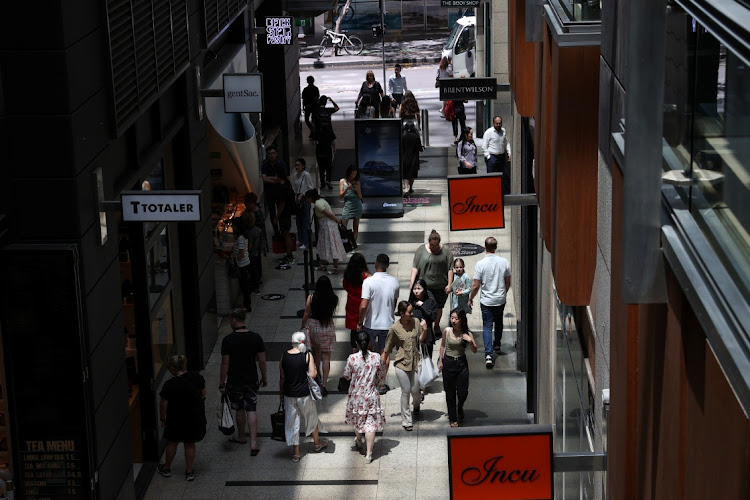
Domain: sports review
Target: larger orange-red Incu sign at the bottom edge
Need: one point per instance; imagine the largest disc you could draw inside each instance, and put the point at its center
(504, 462)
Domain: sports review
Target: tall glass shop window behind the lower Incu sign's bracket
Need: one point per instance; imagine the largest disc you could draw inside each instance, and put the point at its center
(573, 417)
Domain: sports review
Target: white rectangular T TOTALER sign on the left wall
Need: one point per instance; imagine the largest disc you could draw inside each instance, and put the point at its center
(159, 206)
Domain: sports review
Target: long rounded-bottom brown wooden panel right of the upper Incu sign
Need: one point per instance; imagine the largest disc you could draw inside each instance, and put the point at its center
(575, 119)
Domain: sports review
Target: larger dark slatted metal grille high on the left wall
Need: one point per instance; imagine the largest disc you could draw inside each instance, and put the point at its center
(149, 48)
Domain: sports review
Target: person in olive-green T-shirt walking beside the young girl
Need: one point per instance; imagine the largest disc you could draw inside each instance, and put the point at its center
(433, 262)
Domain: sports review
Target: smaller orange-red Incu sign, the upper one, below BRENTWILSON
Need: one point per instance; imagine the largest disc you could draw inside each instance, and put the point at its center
(476, 202)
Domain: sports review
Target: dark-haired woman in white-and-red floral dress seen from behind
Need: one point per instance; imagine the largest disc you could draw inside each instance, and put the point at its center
(363, 409)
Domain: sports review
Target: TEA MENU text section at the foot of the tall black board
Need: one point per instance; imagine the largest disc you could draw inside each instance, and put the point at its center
(52, 469)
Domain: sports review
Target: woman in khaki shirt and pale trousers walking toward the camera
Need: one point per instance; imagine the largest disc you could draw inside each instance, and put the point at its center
(406, 334)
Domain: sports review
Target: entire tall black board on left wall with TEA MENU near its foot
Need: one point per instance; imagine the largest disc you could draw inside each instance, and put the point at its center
(48, 382)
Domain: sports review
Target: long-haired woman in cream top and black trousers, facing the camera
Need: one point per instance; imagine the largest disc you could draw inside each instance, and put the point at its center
(454, 366)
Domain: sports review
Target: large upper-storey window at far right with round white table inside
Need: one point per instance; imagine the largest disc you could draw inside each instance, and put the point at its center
(707, 138)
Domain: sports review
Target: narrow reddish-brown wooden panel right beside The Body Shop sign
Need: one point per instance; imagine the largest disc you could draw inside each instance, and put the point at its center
(522, 61)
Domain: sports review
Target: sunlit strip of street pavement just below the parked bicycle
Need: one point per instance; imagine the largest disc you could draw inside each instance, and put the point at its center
(401, 51)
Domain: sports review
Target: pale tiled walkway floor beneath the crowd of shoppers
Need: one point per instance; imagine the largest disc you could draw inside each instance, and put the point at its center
(406, 464)
